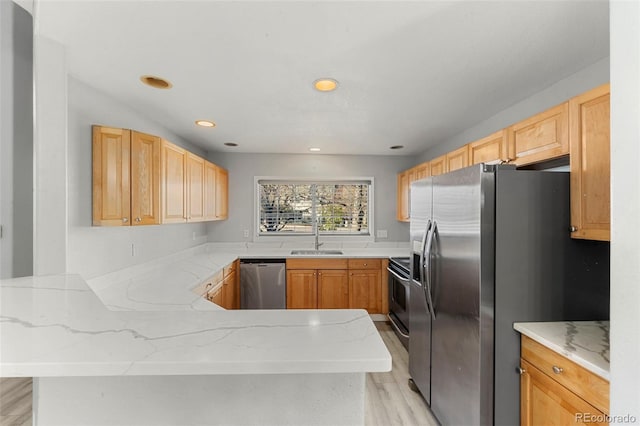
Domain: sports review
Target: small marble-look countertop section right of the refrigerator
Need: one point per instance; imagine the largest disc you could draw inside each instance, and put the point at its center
(584, 342)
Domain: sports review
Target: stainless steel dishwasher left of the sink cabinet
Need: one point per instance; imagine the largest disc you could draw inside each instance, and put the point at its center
(263, 284)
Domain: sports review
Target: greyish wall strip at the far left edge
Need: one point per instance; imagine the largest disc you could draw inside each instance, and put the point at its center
(16, 136)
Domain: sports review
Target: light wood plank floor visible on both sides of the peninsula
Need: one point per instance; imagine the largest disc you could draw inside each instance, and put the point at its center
(388, 400)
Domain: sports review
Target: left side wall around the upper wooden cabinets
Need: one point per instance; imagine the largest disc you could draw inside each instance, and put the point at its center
(96, 250)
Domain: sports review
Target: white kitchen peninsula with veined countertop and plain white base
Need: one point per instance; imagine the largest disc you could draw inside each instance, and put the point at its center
(184, 361)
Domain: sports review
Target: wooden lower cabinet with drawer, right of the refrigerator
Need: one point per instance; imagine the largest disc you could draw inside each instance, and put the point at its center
(556, 391)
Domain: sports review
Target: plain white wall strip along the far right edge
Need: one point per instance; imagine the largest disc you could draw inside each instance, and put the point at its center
(625, 209)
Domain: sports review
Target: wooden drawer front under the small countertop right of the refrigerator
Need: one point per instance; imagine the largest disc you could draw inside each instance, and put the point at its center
(577, 379)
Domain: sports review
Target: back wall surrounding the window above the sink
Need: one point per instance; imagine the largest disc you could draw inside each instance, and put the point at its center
(243, 167)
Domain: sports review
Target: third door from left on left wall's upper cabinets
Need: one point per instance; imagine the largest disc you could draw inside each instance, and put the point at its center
(173, 183)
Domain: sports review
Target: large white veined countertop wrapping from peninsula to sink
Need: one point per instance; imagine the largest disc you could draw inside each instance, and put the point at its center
(146, 320)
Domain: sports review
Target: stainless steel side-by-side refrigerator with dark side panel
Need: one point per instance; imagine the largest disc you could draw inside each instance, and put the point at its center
(489, 246)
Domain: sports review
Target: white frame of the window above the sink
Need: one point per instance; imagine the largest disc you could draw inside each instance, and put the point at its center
(283, 238)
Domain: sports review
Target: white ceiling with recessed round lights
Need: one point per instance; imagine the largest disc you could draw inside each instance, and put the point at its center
(411, 72)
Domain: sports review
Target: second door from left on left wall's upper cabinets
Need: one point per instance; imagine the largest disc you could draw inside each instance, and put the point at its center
(145, 179)
